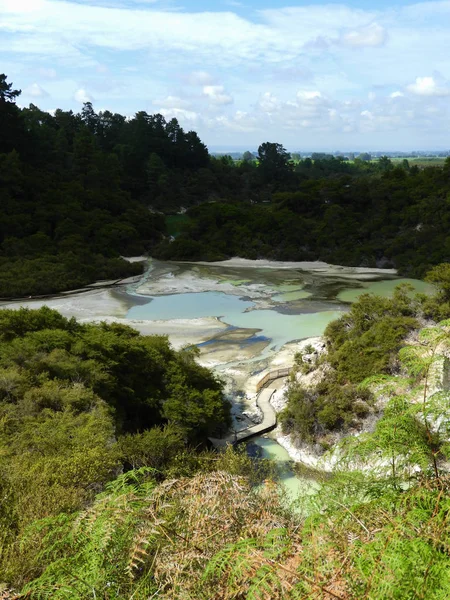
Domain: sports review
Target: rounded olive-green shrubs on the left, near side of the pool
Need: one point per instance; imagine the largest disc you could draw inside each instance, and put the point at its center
(81, 403)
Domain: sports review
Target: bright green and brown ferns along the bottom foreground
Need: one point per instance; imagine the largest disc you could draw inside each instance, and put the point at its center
(211, 537)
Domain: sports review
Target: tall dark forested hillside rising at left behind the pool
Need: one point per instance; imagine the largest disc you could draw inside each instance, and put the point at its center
(76, 192)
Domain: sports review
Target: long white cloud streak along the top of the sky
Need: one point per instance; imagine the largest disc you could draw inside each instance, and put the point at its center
(280, 35)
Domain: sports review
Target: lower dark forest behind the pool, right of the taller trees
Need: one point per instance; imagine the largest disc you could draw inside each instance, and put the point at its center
(385, 216)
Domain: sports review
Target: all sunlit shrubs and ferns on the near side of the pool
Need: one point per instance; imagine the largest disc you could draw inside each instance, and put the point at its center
(103, 495)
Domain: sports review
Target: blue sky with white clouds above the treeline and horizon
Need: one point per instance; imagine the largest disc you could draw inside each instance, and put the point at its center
(311, 75)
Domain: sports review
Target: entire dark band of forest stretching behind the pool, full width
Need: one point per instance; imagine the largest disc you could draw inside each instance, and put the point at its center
(78, 191)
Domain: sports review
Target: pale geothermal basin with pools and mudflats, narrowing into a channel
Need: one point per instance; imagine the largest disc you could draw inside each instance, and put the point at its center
(246, 317)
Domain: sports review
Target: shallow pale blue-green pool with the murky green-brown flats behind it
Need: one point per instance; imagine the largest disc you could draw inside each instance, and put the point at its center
(284, 305)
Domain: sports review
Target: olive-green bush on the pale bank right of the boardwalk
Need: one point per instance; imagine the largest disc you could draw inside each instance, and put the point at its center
(362, 343)
